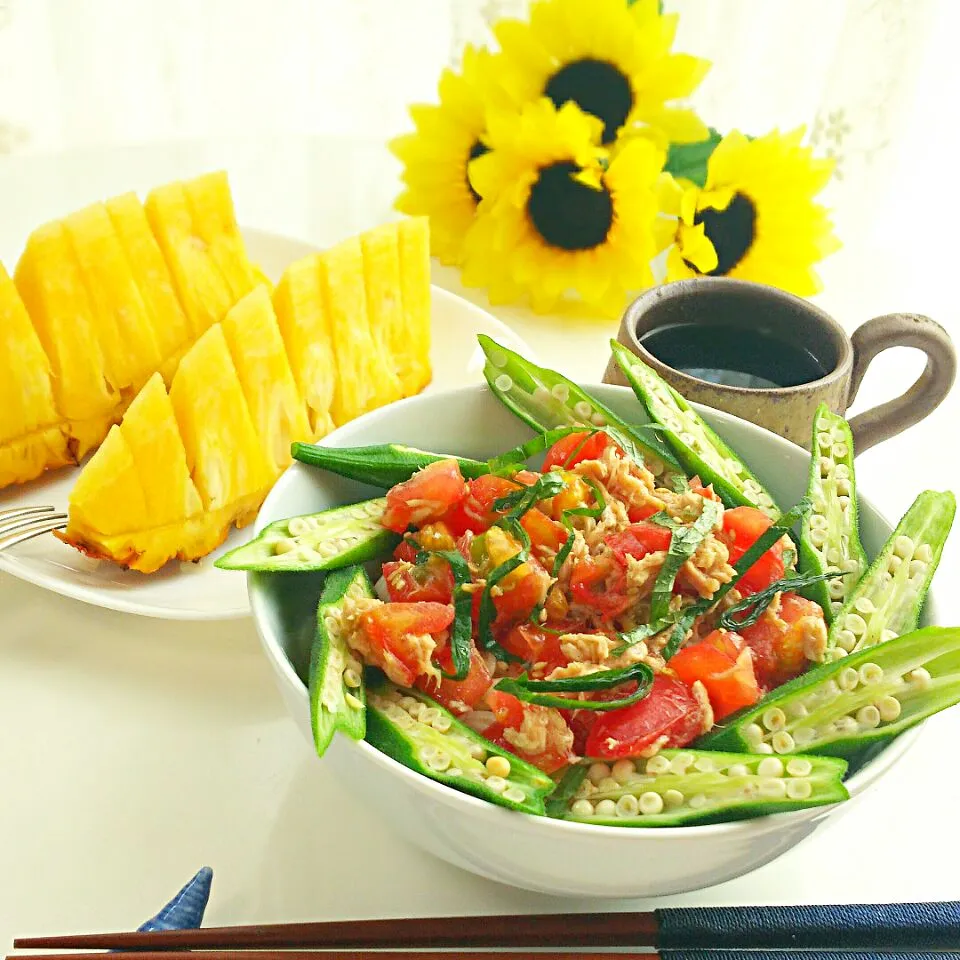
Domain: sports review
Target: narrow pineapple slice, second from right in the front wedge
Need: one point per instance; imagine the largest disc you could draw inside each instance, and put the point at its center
(381, 271)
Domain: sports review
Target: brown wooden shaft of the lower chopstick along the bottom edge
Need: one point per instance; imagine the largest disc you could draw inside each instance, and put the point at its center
(330, 955)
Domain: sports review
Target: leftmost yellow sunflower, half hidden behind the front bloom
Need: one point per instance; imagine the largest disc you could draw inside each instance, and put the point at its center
(436, 155)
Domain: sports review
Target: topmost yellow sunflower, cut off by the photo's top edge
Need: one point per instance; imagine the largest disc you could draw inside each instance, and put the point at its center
(609, 57)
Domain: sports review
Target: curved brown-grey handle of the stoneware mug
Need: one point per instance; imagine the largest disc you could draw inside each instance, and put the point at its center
(894, 416)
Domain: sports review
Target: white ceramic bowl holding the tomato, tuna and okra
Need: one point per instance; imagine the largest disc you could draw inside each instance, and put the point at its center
(526, 851)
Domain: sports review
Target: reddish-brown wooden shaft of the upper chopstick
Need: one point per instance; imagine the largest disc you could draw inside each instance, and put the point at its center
(593, 931)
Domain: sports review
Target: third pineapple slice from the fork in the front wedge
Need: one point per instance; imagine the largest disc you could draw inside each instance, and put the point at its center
(223, 451)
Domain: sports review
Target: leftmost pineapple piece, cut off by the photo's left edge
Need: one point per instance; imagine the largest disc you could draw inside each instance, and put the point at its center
(32, 438)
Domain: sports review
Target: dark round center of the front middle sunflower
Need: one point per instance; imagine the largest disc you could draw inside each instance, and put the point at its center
(569, 214)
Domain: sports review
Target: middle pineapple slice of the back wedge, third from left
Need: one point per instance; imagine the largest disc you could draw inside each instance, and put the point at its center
(170, 325)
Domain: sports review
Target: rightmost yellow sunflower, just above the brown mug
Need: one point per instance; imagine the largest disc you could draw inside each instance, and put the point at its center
(755, 218)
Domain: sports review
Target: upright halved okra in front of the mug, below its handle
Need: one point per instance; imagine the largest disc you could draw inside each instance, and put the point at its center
(829, 536)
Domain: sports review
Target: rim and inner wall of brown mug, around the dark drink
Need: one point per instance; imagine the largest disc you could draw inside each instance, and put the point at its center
(707, 285)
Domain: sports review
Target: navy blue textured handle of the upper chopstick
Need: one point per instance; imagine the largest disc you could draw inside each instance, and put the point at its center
(909, 927)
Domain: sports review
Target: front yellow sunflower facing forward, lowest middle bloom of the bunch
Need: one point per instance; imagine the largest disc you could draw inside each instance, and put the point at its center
(557, 215)
